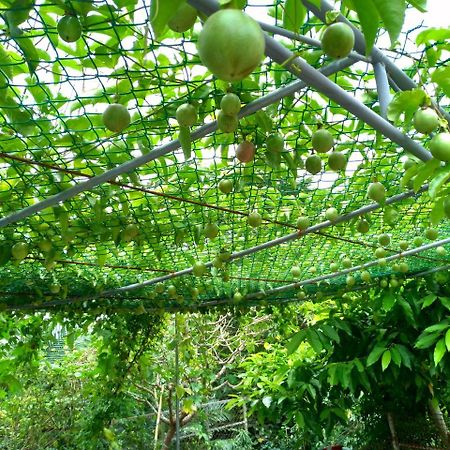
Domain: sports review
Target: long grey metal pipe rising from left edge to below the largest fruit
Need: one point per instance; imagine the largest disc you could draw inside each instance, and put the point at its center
(166, 148)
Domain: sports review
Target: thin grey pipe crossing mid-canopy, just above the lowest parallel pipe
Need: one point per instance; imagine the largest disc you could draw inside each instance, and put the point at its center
(289, 237)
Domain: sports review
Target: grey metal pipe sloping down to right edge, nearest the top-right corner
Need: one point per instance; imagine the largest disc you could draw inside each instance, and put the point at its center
(400, 78)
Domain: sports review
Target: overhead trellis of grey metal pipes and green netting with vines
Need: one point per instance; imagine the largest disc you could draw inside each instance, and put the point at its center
(119, 218)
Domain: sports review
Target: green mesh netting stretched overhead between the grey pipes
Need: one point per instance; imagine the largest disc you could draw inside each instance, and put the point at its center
(53, 137)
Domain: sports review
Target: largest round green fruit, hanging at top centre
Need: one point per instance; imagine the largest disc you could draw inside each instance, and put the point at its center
(231, 44)
